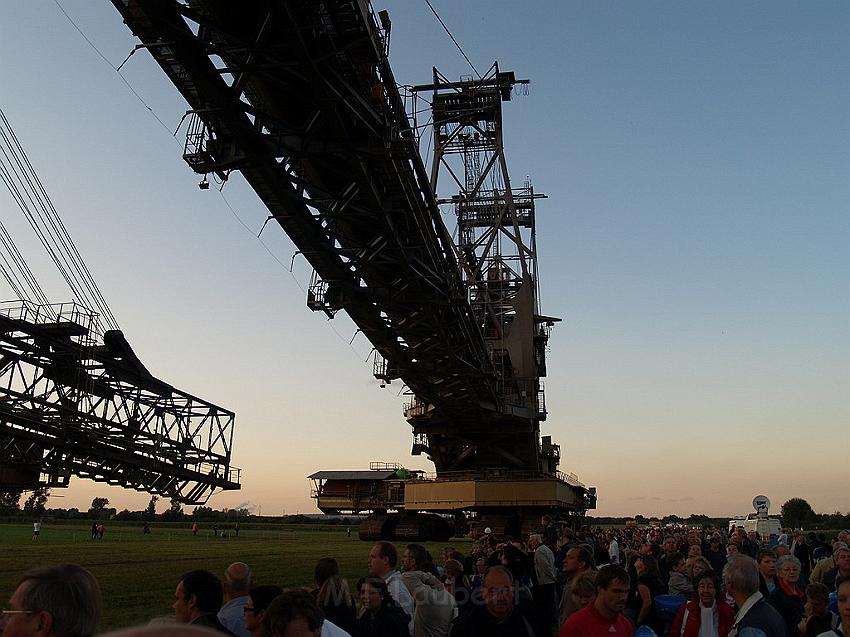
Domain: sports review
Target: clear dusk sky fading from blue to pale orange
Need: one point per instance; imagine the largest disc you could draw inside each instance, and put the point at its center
(695, 241)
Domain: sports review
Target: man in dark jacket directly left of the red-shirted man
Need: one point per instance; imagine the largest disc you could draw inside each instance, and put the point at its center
(498, 617)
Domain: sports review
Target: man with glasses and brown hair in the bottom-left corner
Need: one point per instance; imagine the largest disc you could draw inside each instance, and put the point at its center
(56, 601)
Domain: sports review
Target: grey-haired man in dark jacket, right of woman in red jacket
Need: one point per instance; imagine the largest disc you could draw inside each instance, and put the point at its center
(755, 617)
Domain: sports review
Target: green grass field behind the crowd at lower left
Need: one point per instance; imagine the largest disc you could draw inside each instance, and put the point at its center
(138, 573)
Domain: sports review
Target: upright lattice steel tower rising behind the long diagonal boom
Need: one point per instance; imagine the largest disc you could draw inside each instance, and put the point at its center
(496, 248)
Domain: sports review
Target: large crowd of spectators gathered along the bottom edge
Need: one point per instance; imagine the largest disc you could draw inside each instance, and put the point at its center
(670, 582)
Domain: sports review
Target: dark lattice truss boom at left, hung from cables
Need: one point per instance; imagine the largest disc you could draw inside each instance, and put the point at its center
(75, 401)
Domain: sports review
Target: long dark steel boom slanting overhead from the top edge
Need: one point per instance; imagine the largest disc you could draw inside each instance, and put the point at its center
(299, 96)
